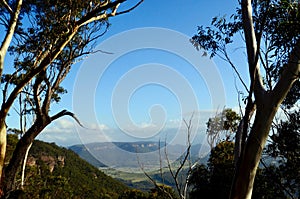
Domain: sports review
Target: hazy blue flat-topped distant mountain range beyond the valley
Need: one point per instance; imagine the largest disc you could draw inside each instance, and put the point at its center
(133, 154)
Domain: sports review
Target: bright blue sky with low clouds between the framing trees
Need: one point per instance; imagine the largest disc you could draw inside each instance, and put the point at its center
(145, 93)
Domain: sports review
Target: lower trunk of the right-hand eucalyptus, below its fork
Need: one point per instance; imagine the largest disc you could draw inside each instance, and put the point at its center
(255, 143)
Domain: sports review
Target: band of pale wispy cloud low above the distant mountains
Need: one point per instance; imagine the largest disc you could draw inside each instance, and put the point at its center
(66, 132)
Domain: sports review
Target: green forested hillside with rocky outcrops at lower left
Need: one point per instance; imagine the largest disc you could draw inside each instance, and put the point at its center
(71, 176)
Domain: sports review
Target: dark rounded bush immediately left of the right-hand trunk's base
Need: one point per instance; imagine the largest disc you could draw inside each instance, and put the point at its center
(214, 180)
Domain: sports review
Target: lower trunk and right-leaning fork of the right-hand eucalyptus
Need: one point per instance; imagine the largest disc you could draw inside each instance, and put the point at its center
(267, 106)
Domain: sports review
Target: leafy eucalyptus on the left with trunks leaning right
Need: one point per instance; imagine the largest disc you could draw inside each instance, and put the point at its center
(45, 38)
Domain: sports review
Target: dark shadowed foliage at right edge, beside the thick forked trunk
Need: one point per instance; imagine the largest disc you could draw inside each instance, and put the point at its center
(285, 149)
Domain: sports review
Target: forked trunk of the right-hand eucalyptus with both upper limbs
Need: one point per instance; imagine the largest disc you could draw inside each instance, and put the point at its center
(267, 103)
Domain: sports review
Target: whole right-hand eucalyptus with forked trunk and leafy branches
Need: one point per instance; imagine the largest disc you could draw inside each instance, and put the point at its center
(271, 32)
